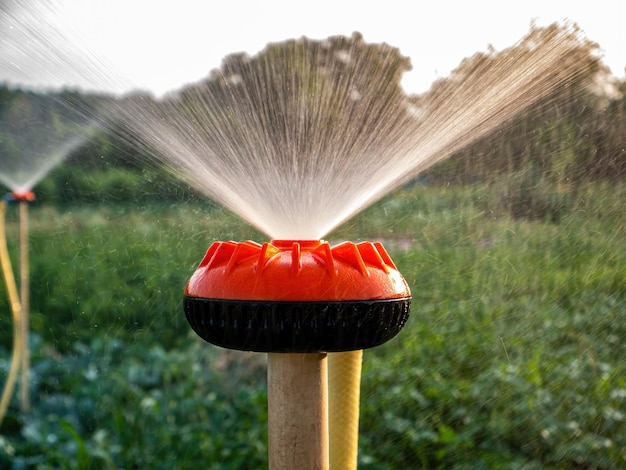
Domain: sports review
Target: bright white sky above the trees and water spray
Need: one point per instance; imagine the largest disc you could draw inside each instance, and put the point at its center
(118, 45)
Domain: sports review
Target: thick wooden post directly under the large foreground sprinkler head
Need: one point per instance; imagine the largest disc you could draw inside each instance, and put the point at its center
(297, 411)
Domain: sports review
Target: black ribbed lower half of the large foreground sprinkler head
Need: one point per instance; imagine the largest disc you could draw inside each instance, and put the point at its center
(302, 327)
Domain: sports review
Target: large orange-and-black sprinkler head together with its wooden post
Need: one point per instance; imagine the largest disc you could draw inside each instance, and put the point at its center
(297, 300)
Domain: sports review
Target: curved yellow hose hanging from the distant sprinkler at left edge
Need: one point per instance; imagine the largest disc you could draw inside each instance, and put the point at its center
(14, 303)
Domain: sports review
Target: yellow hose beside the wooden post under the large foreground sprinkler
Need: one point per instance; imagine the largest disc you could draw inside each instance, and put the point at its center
(344, 387)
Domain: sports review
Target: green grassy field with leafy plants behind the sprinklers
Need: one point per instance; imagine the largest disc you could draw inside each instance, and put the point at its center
(513, 356)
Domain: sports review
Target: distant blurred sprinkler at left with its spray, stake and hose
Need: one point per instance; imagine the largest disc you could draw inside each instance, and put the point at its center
(37, 135)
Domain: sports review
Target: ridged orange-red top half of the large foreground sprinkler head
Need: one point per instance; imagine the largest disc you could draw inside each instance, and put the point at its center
(297, 270)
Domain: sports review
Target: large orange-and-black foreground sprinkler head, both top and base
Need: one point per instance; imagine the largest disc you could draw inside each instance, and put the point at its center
(297, 296)
